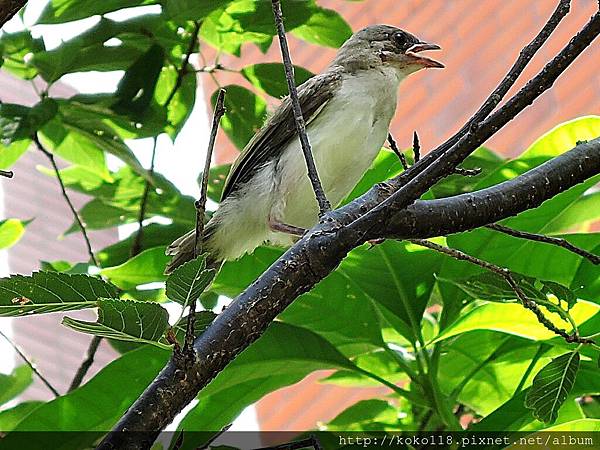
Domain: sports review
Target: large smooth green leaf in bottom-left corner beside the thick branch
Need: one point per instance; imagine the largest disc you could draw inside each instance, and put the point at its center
(105, 398)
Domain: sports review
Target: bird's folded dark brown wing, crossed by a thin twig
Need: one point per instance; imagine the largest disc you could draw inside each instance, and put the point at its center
(272, 138)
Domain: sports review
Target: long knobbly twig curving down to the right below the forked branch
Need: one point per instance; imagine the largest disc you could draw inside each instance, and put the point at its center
(508, 277)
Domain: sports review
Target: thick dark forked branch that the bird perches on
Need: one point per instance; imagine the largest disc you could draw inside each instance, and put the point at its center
(318, 252)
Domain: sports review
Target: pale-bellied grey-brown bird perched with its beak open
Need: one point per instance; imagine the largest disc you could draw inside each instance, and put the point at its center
(267, 196)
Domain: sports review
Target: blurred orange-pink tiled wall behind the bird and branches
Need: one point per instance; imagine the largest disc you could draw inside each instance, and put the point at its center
(480, 41)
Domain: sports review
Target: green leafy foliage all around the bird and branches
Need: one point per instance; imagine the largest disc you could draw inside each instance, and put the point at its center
(392, 315)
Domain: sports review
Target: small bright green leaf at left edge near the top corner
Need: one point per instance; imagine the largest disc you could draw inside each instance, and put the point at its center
(17, 49)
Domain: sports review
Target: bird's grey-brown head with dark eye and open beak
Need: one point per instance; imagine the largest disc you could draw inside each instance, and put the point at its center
(384, 45)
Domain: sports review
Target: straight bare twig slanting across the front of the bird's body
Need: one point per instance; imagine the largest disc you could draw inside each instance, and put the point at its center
(324, 205)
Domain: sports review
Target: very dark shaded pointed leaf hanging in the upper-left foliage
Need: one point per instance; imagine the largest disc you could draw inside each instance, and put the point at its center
(136, 89)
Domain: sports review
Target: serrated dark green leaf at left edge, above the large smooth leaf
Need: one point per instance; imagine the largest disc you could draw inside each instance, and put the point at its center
(44, 292)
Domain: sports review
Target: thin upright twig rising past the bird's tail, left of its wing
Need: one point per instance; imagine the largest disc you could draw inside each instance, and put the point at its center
(188, 346)
